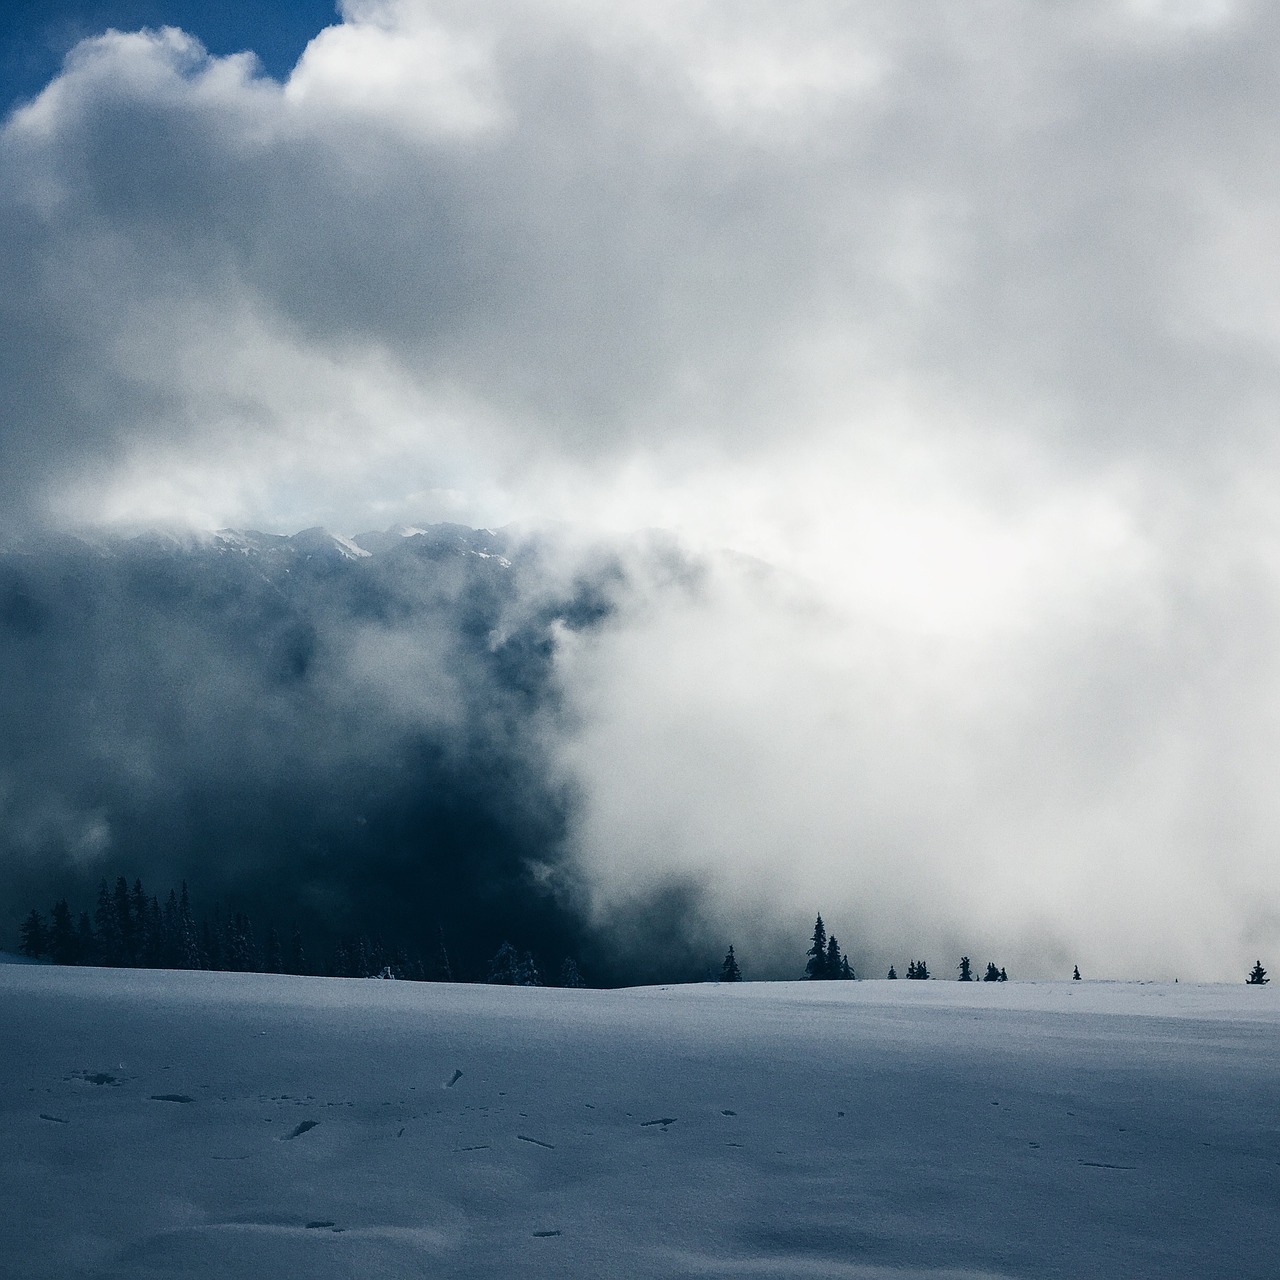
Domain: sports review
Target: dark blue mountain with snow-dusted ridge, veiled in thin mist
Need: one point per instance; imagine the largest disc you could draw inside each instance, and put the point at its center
(346, 734)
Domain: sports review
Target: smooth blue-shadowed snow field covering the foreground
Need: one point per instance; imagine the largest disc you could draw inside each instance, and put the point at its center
(199, 1126)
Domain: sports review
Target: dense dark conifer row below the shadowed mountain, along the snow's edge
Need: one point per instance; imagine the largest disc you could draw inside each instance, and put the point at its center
(134, 930)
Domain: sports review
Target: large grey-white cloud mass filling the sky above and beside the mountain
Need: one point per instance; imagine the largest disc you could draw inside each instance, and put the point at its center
(962, 321)
